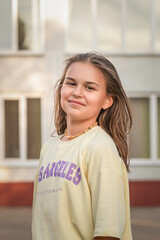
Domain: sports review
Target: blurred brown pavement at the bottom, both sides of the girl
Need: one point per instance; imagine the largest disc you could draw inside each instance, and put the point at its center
(15, 223)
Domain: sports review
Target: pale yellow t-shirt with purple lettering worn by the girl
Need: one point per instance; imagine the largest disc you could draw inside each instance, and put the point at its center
(81, 190)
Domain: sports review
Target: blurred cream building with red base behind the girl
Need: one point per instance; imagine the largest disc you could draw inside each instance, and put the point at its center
(35, 37)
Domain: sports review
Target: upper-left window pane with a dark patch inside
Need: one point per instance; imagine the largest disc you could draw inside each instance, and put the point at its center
(28, 25)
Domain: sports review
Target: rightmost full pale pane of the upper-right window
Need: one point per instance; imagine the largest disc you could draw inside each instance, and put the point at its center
(138, 25)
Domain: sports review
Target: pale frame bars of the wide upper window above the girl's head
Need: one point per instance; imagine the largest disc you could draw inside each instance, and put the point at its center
(123, 50)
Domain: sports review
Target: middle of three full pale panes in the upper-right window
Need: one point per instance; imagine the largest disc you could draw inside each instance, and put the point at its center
(109, 25)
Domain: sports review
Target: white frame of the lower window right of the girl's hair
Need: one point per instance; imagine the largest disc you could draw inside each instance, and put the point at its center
(153, 127)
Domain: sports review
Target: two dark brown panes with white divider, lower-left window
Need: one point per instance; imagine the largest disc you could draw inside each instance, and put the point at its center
(22, 128)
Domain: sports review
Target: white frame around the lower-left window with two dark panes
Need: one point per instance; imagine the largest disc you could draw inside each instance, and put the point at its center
(22, 160)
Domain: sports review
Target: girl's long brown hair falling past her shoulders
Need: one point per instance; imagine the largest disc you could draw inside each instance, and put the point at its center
(116, 120)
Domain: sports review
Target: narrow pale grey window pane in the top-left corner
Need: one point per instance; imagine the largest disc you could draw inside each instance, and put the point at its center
(5, 25)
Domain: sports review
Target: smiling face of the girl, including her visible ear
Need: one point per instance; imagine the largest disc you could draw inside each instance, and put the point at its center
(83, 93)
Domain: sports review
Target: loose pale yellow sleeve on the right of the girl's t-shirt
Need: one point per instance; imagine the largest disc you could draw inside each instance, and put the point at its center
(107, 184)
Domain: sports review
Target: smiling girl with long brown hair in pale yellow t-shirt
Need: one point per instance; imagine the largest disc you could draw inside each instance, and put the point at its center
(81, 187)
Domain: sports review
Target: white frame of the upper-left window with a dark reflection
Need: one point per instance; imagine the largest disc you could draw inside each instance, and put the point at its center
(14, 50)
